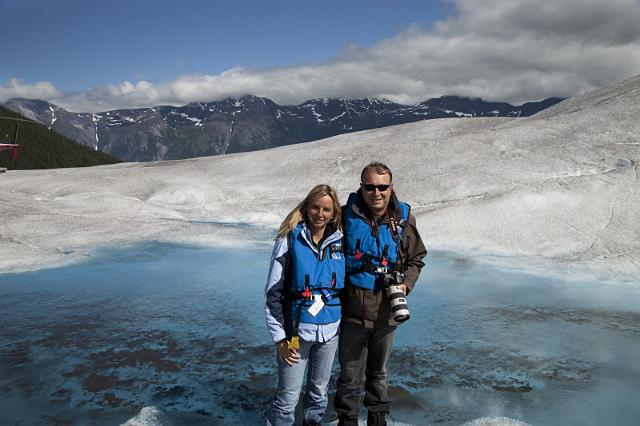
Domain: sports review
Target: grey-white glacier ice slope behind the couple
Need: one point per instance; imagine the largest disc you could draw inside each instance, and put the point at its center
(558, 190)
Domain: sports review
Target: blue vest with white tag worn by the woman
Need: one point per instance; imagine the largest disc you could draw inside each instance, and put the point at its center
(318, 270)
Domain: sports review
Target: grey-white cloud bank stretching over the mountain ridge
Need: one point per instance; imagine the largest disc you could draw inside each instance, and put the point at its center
(513, 51)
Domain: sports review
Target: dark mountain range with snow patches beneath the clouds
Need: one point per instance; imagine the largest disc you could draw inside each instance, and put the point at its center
(246, 124)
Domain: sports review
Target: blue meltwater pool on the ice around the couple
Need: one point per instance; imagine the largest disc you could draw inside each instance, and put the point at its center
(181, 329)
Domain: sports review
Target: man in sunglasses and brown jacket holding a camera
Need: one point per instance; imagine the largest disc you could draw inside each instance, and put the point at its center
(383, 247)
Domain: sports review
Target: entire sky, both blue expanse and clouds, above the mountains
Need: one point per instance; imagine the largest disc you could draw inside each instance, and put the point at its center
(97, 55)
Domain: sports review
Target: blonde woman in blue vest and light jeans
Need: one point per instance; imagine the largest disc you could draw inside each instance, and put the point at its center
(302, 305)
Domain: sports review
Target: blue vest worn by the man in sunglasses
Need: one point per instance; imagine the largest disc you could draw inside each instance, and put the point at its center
(369, 255)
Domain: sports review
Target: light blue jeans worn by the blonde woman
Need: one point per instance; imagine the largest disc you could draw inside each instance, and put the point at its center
(318, 357)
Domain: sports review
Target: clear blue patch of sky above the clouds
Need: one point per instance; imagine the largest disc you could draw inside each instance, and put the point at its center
(79, 44)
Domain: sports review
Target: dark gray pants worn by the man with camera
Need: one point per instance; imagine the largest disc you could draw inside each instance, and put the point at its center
(363, 352)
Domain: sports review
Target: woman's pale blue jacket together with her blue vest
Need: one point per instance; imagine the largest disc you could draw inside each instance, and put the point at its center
(297, 264)
